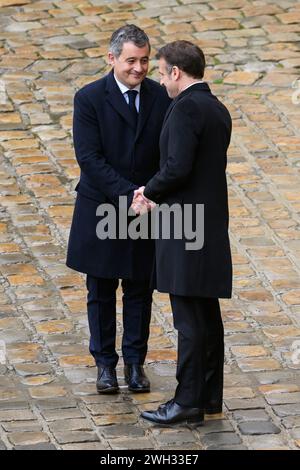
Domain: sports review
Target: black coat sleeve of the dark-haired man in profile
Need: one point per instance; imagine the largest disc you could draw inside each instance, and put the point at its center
(183, 140)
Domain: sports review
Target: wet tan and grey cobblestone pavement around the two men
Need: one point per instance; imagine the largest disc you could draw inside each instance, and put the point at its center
(48, 49)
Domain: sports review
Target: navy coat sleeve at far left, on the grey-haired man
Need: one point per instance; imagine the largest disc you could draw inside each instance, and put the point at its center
(89, 153)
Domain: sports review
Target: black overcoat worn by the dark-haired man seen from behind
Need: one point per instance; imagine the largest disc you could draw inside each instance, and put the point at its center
(193, 145)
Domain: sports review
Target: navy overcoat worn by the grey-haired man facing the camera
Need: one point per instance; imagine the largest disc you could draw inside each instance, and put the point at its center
(115, 158)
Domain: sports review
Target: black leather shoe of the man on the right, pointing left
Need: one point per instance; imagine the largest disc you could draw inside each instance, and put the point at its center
(172, 413)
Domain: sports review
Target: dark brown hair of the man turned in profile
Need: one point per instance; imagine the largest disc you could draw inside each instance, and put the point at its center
(185, 55)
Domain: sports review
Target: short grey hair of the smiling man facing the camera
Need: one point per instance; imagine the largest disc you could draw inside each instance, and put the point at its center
(128, 33)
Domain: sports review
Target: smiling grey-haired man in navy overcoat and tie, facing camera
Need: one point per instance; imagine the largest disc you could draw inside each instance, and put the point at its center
(116, 127)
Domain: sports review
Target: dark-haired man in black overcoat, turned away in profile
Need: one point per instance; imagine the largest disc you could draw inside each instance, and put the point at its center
(193, 145)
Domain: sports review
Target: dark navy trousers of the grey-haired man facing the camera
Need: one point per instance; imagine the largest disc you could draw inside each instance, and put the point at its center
(101, 307)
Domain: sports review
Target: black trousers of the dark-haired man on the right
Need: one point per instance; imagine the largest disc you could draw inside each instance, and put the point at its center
(200, 361)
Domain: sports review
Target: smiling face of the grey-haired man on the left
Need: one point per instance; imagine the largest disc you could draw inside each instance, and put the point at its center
(131, 66)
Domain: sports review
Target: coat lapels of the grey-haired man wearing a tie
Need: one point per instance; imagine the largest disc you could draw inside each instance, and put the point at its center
(116, 99)
